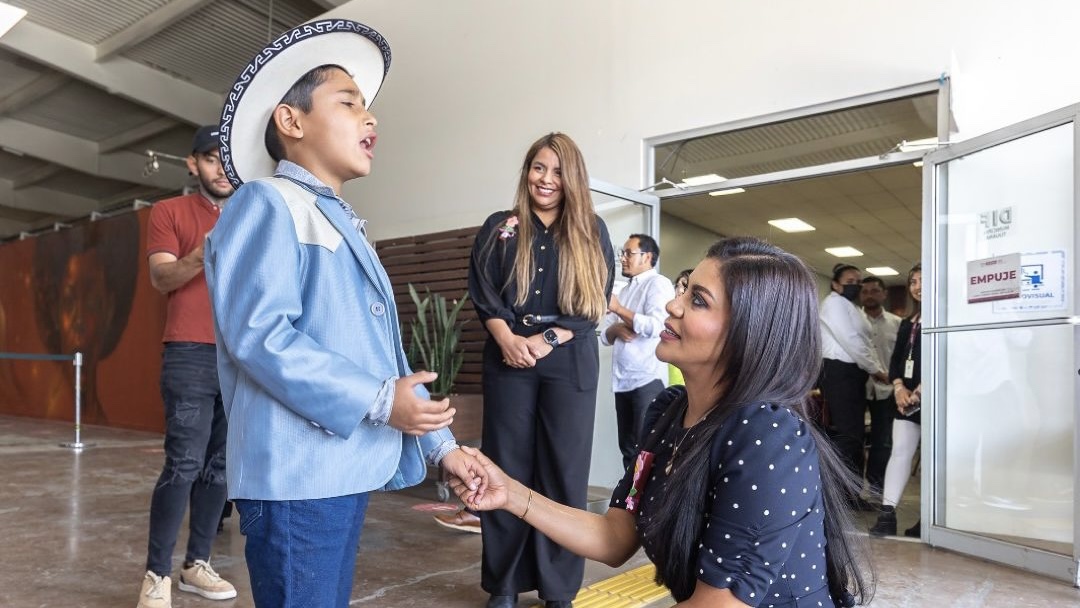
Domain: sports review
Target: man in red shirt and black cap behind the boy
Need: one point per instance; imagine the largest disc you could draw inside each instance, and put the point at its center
(195, 416)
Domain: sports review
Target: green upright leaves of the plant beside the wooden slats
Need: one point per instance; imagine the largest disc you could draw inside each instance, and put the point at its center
(436, 340)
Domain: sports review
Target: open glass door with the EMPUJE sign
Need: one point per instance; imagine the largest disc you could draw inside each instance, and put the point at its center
(1001, 360)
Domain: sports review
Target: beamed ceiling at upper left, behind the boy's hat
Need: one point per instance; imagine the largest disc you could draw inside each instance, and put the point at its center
(87, 87)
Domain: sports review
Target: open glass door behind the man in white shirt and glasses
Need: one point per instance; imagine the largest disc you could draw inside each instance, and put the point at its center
(626, 212)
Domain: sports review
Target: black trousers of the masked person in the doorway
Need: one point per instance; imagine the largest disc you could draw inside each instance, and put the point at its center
(844, 387)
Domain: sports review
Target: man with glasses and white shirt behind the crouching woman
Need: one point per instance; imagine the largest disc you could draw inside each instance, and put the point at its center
(633, 323)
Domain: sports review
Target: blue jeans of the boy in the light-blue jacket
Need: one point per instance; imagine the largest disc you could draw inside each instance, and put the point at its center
(302, 552)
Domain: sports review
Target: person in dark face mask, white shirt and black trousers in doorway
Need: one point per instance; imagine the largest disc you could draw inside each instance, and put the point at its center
(850, 359)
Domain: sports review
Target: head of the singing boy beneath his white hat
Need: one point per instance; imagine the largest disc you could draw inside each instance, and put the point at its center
(336, 140)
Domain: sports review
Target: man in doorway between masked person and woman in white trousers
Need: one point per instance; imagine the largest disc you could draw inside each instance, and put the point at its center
(880, 398)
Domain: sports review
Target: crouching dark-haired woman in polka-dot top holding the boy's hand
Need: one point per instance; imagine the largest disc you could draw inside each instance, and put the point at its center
(744, 503)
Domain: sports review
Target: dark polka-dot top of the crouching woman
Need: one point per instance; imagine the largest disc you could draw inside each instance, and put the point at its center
(765, 533)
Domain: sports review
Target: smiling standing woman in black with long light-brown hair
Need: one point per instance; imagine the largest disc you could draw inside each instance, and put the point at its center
(541, 278)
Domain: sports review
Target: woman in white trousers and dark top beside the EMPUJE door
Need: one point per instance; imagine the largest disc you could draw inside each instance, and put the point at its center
(907, 376)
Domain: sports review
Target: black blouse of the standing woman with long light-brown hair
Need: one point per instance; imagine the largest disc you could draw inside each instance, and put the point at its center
(494, 291)
